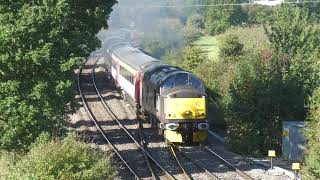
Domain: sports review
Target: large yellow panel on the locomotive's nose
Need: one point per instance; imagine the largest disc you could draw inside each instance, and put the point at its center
(185, 108)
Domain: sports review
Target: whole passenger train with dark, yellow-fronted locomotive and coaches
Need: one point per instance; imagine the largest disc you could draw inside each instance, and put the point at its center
(172, 99)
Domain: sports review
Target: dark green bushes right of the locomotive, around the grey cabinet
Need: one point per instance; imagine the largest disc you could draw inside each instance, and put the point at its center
(267, 90)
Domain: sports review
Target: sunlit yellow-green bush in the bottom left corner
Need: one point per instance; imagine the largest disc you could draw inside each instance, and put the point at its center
(60, 159)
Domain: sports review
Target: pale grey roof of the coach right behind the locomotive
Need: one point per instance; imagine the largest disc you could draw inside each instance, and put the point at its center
(133, 57)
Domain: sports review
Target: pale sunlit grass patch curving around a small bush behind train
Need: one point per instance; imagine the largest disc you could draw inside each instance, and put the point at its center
(253, 38)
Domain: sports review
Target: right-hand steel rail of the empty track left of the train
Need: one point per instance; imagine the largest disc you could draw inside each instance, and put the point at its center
(107, 107)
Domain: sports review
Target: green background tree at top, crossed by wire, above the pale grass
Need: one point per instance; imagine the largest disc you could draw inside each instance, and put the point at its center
(219, 18)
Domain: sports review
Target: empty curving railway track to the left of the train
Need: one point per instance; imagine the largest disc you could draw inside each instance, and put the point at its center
(139, 161)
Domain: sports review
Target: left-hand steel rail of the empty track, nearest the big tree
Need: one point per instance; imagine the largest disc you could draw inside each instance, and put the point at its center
(85, 104)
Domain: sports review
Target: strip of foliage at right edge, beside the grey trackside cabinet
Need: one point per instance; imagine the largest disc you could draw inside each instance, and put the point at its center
(311, 168)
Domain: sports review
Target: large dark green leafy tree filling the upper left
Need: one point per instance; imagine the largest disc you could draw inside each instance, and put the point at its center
(41, 42)
